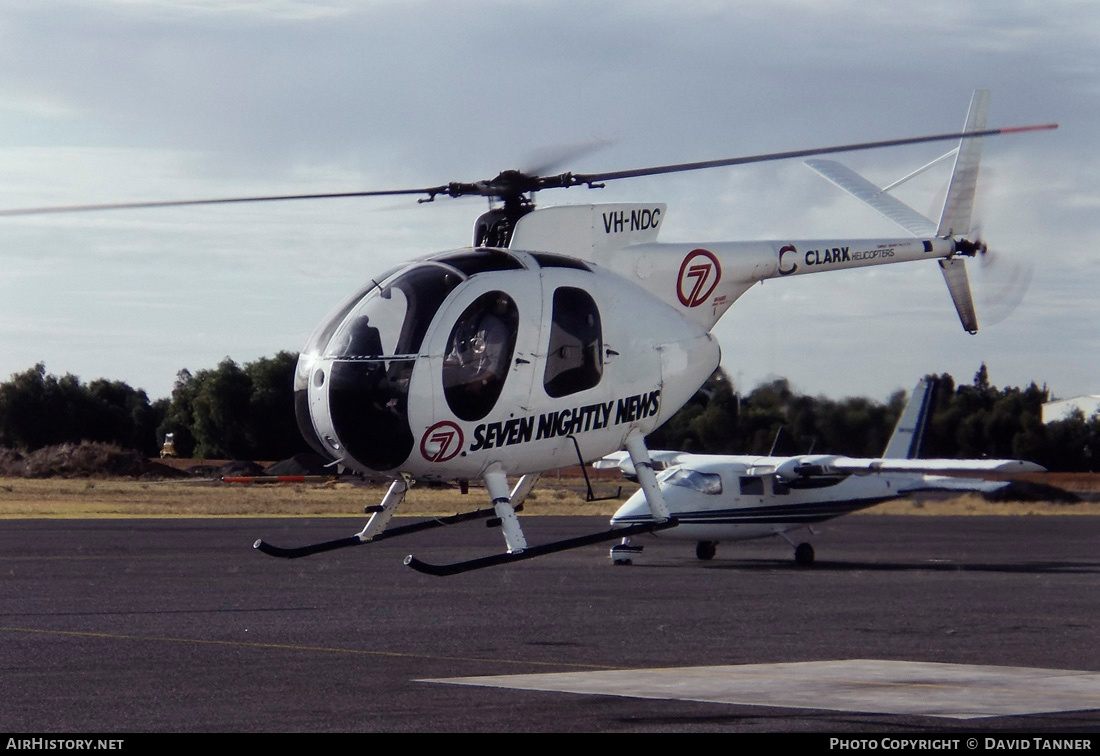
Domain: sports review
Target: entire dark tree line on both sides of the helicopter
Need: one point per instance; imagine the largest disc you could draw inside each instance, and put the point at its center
(234, 412)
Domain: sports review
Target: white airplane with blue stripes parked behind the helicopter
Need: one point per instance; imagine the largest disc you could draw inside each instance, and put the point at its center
(723, 498)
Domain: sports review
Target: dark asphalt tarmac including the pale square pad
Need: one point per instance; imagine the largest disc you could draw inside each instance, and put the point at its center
(906, 624)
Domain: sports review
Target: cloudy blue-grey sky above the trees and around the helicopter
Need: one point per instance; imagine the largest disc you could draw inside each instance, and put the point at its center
(105, 101)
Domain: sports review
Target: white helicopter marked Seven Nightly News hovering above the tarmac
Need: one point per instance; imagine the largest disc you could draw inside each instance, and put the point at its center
(563, 335)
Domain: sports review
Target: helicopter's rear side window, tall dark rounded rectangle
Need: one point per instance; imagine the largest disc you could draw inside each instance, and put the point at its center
(575, 359)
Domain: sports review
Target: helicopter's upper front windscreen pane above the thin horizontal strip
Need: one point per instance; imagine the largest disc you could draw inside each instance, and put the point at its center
(391, 320)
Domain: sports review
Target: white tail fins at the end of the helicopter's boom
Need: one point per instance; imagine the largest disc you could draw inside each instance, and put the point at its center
(958, 211)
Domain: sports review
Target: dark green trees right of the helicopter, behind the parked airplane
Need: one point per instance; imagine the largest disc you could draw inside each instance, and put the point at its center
(967, 422)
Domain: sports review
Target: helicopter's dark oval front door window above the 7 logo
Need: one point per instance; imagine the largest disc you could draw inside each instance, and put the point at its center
(479, 355)
